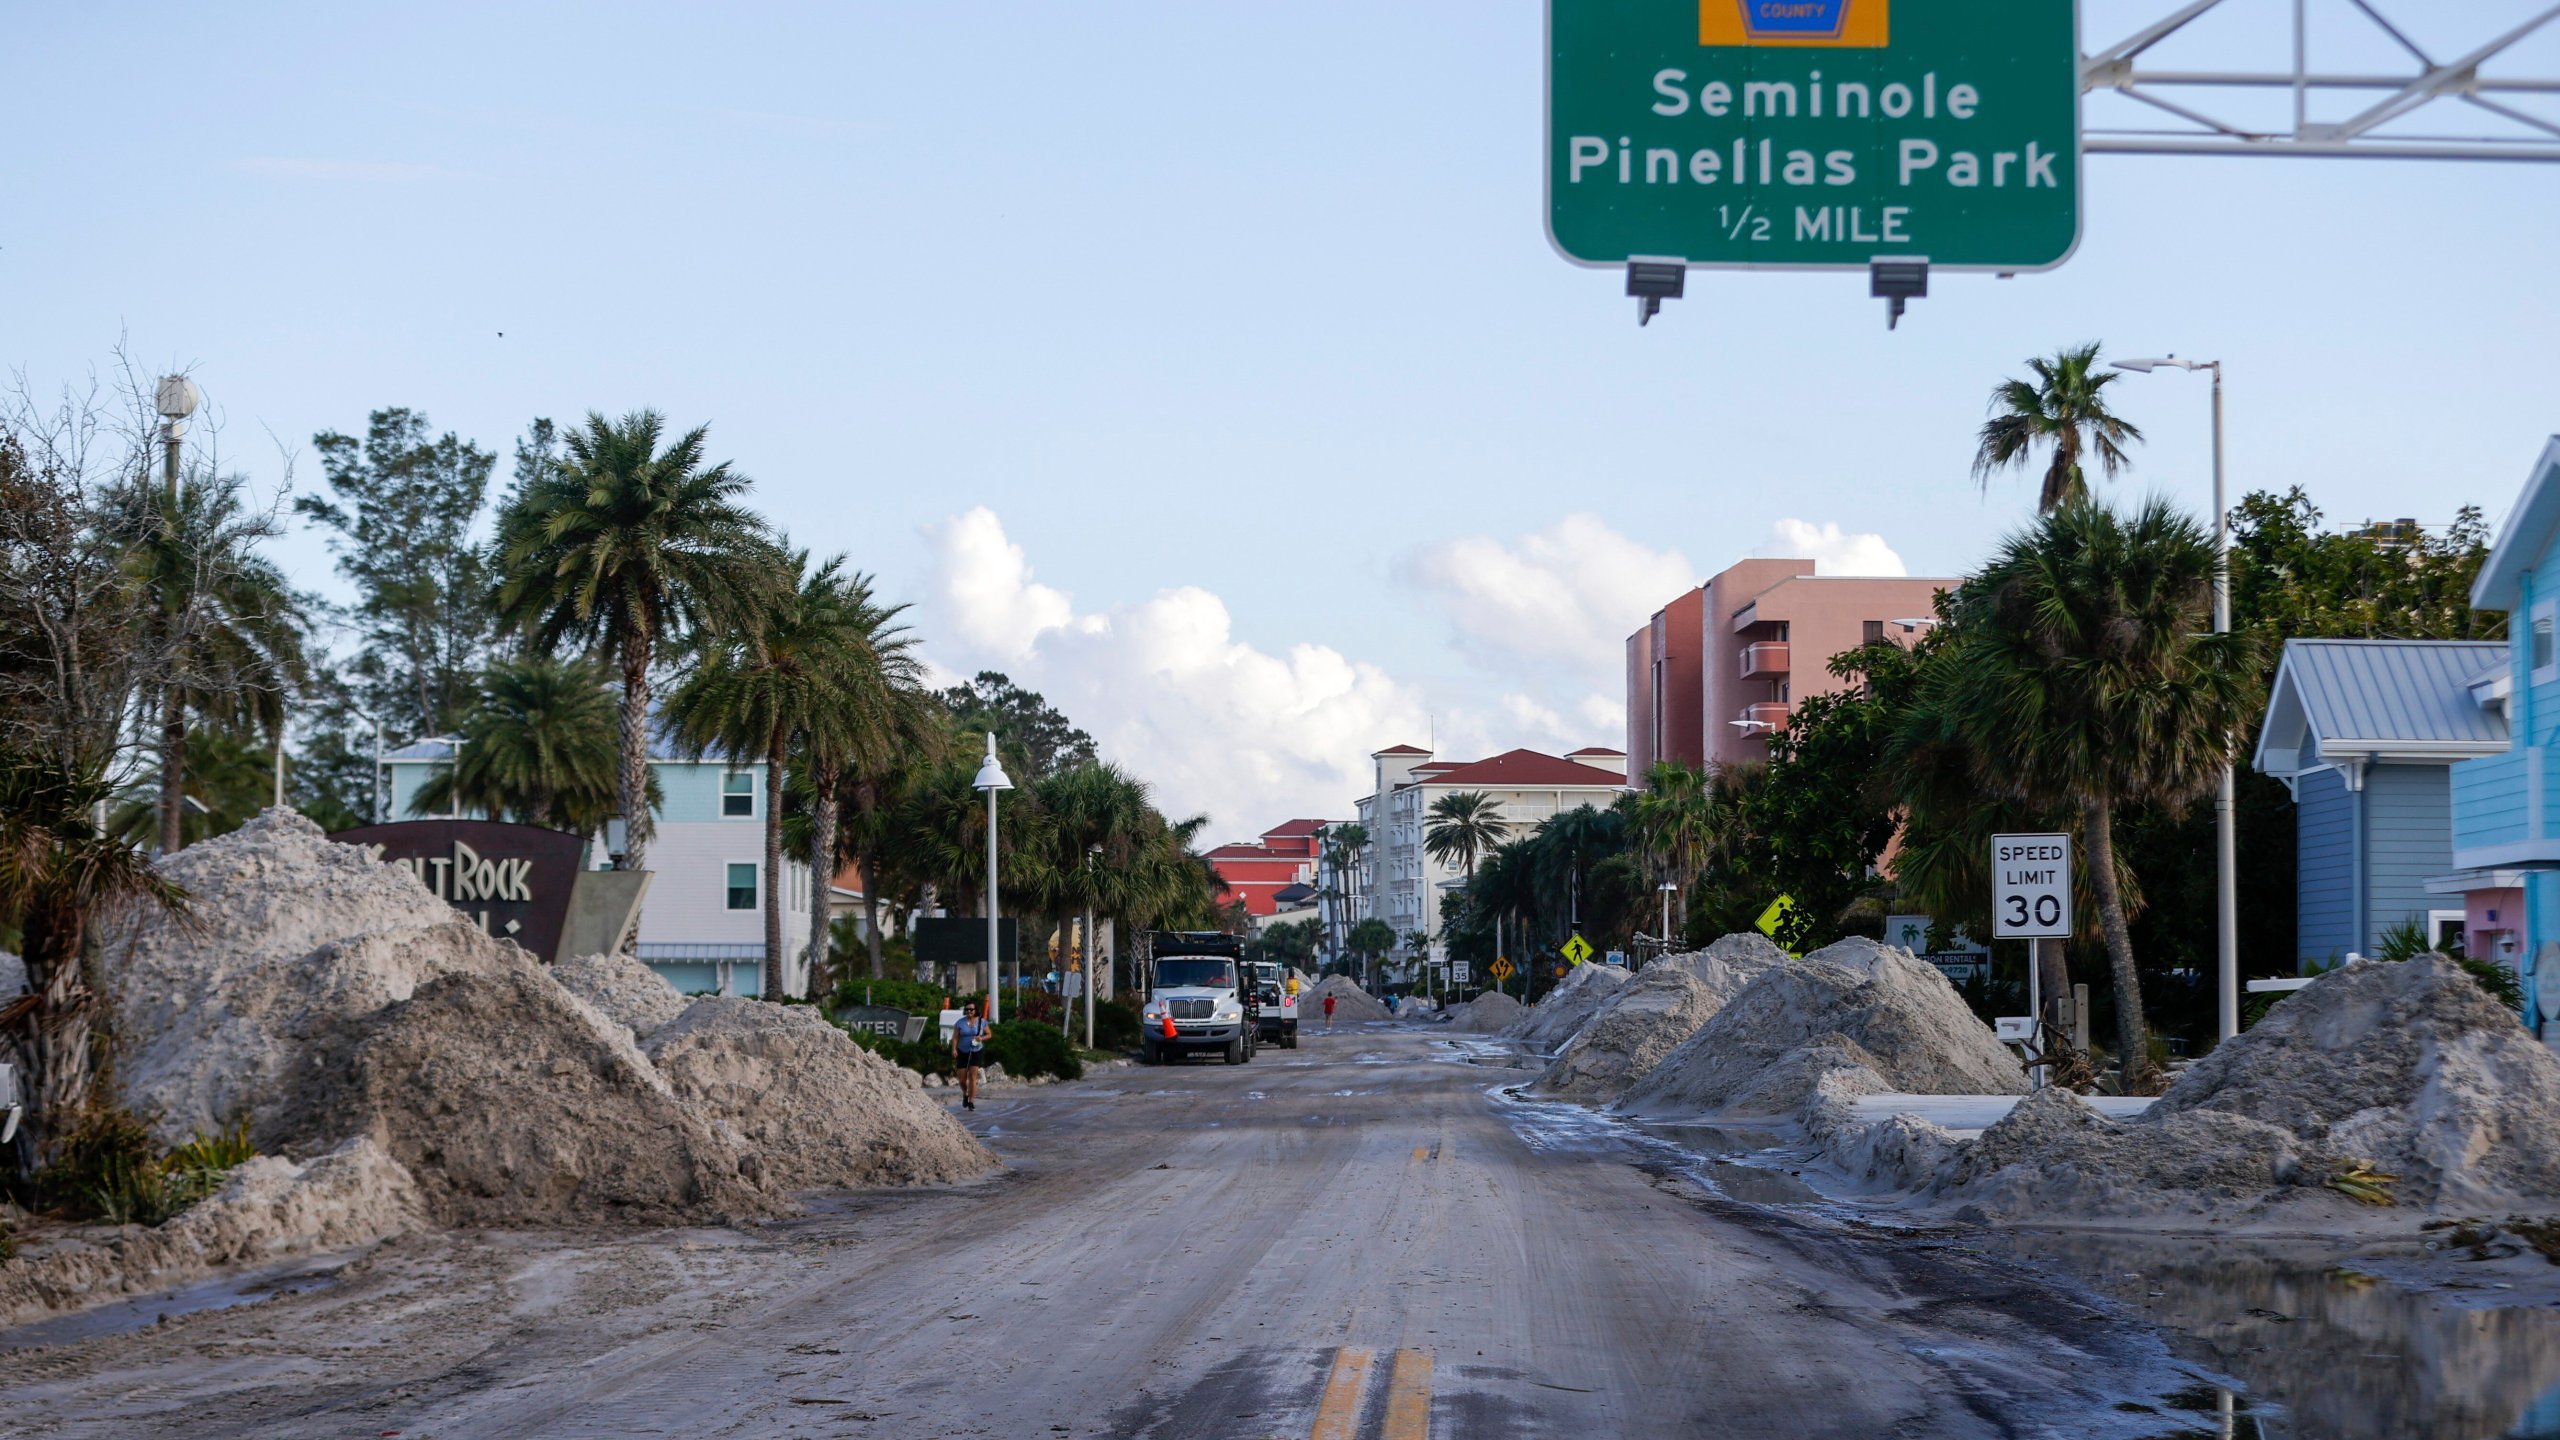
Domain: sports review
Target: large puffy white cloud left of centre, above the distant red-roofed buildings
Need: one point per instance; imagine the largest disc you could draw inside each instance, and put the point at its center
(1166, 688)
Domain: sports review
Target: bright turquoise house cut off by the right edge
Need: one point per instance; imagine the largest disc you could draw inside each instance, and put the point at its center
(2505, 808)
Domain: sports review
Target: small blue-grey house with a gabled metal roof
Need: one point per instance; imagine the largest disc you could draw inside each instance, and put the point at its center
(2367, 737)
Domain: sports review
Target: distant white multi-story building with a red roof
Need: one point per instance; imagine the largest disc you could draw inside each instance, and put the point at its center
(1527, 788)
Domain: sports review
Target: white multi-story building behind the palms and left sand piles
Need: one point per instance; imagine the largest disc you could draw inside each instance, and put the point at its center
(703, 924)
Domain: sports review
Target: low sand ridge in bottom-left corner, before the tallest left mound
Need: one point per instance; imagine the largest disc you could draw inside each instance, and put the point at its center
(270, 1208)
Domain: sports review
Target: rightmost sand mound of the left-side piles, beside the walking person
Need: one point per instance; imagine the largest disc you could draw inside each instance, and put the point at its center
(808, 1103)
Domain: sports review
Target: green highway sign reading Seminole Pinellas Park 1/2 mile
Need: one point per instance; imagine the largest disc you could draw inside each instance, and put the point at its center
(1814, 135)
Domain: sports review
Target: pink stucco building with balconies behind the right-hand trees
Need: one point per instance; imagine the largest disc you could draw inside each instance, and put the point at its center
(1724, 665)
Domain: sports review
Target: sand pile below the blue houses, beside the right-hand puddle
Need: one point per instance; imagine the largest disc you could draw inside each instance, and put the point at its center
(2405, 1070)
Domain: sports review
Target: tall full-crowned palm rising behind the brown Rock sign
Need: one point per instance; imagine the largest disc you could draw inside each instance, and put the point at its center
(628, 547)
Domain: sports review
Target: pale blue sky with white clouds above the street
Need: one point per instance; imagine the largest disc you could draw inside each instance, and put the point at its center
(1235, 327)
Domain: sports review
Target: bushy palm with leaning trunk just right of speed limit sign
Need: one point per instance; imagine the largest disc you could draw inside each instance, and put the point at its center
(2085, 678)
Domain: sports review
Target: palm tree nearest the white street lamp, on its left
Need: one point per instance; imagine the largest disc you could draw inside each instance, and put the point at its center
(887, 716)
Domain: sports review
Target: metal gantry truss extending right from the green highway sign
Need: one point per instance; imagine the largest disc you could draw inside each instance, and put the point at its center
(2436, 86)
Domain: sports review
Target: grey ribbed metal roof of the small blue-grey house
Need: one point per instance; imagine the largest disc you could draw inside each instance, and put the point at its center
(2362, 698)
